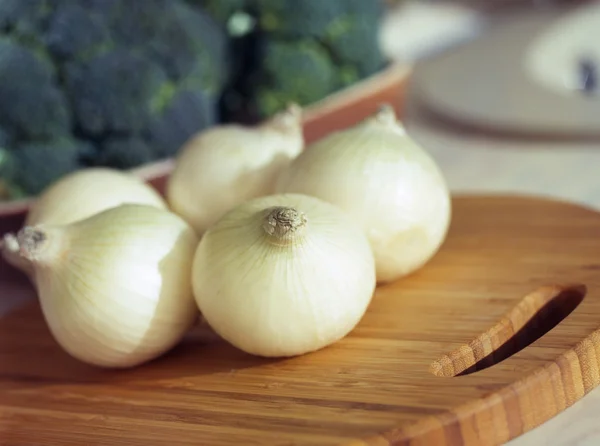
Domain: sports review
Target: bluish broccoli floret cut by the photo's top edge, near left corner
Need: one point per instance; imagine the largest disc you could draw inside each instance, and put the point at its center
(75, 32)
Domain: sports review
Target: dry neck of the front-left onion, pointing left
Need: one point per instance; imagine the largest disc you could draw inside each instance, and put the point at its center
(39, 246)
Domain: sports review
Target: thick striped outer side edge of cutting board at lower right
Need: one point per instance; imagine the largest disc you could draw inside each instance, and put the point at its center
(496, 418)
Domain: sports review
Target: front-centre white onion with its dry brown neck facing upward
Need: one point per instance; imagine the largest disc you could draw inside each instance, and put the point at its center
(283, 275)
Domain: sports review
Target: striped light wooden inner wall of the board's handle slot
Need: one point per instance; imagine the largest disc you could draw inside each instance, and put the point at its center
(467, 355)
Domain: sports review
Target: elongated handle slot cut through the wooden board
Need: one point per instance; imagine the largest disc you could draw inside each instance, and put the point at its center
(534, 316)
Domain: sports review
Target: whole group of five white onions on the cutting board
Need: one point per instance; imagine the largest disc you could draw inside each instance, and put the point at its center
(278, 244)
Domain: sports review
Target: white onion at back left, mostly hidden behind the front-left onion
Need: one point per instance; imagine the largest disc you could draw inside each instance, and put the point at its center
(79, 195)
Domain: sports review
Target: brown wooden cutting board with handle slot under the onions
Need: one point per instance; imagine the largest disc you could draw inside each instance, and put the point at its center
(493, 288)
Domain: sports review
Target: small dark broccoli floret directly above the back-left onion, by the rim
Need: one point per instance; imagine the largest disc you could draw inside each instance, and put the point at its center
(124, 153)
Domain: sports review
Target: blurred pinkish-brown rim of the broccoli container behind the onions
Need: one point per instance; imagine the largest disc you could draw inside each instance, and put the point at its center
(386, 78)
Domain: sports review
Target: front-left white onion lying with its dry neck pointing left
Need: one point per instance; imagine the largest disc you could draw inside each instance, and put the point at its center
(115, 288)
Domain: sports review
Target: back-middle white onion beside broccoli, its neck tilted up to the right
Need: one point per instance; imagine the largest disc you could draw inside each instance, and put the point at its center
(226, 165)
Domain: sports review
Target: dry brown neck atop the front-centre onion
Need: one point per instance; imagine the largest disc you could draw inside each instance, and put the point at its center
(284, 225)
